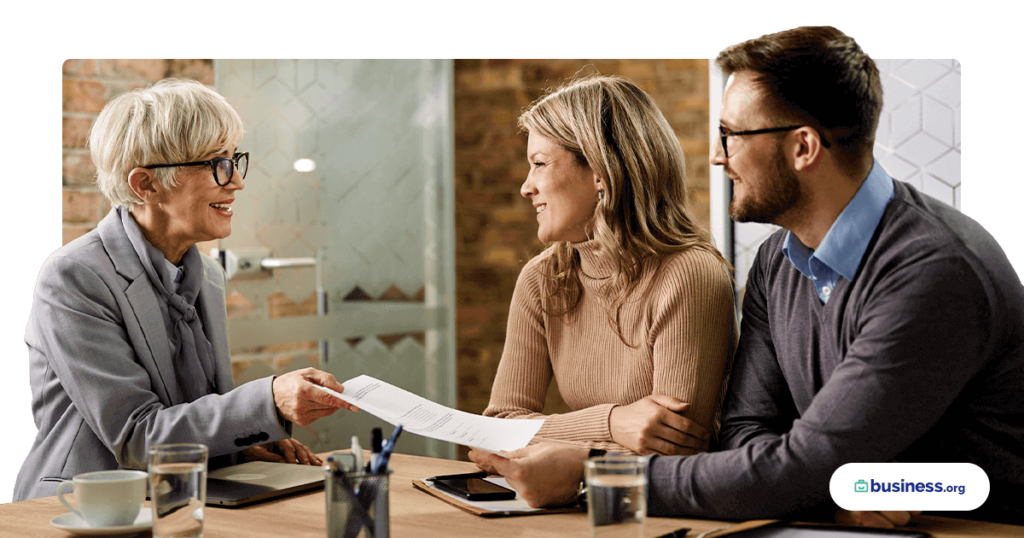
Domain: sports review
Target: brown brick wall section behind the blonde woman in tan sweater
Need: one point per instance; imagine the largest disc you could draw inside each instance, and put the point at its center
(496, 228)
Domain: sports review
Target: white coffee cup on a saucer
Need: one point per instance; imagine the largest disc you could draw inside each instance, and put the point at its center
(107, 499)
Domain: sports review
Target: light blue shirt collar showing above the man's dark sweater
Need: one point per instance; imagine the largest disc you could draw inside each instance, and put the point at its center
(844, 245)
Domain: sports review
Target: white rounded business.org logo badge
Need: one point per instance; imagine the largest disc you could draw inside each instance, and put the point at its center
(910, 486)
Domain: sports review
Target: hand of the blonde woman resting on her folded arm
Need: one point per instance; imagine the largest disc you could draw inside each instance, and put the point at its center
(653, 426)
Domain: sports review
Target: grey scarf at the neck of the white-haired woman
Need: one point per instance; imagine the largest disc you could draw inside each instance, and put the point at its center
(194, 362)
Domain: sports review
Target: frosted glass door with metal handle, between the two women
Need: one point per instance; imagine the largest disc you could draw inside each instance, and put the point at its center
(375, 130)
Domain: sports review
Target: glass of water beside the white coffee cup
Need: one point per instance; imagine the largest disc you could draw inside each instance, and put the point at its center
(178, 490)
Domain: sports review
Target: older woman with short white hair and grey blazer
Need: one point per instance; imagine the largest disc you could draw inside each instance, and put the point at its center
(127, 334)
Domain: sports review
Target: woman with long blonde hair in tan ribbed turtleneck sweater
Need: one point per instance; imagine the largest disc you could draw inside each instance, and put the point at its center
(631, 307)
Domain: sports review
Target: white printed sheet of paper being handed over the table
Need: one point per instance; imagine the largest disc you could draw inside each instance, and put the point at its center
(423, 418)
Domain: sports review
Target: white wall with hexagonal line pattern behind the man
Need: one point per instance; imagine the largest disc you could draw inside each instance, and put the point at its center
(918, 140)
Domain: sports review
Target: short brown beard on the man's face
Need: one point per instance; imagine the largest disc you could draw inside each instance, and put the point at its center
(773, 195)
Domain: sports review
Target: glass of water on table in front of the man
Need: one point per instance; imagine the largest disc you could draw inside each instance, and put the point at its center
(617, 496)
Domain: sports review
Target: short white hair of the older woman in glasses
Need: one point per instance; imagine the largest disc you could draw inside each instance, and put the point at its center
(174, 121)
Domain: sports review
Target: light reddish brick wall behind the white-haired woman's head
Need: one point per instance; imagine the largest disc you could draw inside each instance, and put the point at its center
(87, 86)
